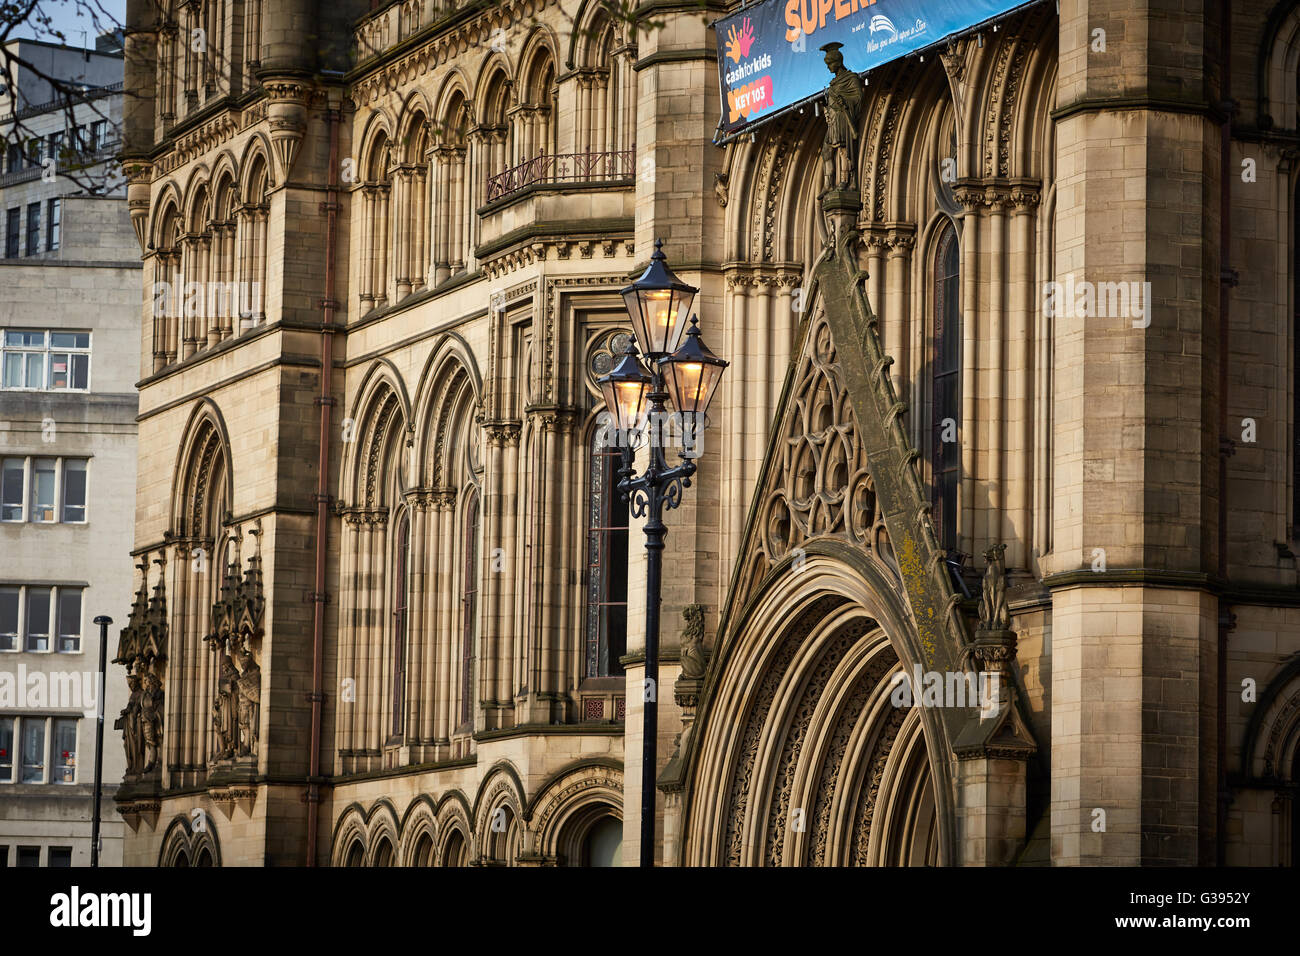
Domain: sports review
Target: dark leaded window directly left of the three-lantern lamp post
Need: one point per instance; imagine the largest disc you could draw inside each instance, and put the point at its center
(606, 564)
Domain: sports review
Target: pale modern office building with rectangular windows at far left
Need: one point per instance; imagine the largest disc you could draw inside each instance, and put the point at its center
(70, 335)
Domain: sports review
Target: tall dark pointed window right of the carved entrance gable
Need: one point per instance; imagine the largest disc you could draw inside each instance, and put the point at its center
(946, 397)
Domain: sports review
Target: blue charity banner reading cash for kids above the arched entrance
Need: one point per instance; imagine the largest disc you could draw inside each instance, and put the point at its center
(770, 55)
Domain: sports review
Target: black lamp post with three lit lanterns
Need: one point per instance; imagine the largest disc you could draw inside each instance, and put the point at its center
(658, 304)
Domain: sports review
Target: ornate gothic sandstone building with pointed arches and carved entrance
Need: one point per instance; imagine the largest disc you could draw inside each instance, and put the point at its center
(391, 605)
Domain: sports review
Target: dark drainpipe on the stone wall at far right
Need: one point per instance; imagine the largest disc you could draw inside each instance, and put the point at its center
(1228, 280)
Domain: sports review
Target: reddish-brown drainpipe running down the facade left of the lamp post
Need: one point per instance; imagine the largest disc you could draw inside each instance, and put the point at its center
(319, 595)
